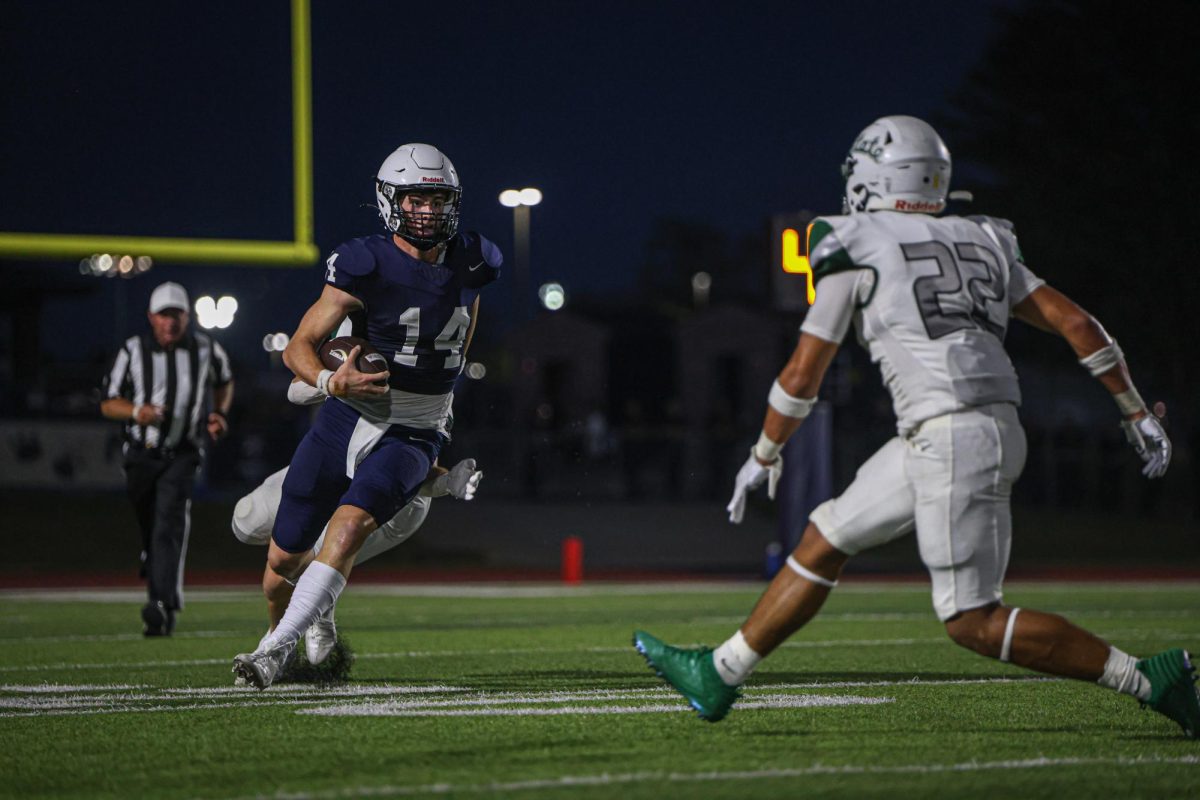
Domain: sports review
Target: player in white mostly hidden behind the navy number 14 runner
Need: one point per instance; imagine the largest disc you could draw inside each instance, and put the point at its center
(254, 519)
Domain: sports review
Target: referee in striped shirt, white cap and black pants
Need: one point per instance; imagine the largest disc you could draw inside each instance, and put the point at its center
(160, 386)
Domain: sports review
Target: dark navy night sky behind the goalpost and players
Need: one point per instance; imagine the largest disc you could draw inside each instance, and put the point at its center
(175, 119)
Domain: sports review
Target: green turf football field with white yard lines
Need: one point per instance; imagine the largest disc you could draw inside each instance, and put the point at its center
(536, 693)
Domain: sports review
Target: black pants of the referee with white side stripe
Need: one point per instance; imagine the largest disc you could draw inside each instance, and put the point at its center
(160, 486)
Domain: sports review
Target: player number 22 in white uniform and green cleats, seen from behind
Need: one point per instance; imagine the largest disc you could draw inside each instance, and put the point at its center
(931, 298)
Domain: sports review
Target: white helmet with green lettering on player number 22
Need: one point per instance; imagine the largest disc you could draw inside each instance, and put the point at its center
(898, 164)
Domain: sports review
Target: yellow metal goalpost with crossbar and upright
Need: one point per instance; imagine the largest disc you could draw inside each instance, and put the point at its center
(299, 252)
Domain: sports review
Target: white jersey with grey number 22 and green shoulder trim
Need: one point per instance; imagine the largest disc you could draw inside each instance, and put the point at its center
(931, 299)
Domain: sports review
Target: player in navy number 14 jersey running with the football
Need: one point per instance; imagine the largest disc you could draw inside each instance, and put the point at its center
(416, 291)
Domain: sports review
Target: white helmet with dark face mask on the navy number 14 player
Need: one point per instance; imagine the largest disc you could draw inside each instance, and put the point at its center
(418, 169)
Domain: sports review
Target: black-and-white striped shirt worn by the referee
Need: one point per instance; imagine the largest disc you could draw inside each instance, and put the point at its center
(177, 380)
